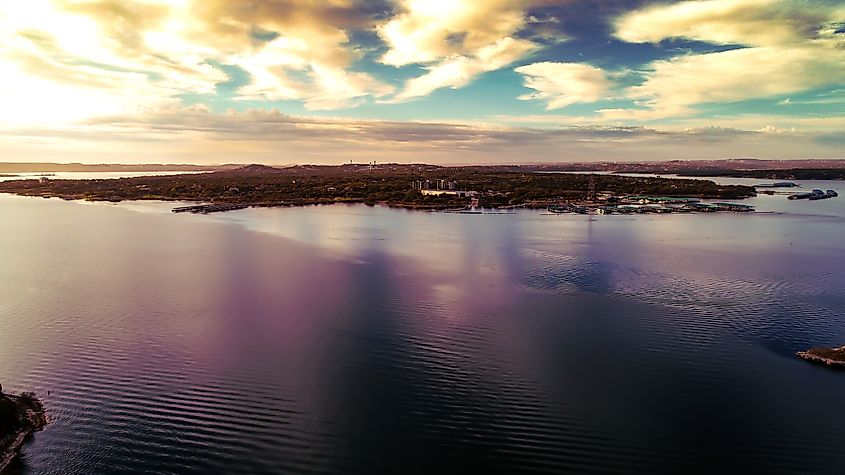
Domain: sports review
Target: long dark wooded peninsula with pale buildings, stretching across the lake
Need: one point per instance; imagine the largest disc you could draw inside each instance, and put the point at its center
(418, 186)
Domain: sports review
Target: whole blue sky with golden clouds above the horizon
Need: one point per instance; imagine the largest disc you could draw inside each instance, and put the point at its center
(434, 81)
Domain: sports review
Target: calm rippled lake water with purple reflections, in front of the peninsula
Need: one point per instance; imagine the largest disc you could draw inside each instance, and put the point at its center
(348, 339)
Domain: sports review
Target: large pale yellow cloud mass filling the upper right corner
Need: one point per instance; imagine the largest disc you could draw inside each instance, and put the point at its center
(785, 47)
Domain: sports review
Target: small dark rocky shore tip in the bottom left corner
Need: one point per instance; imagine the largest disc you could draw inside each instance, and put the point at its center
(20, 417)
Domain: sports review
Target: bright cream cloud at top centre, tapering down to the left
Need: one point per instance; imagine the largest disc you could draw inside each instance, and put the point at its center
(456, 39)
